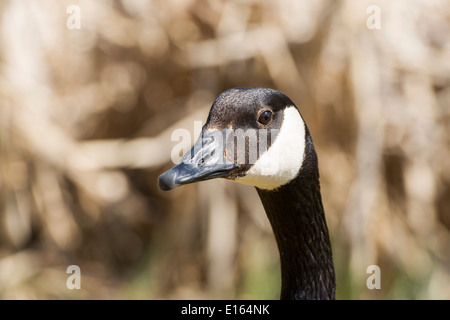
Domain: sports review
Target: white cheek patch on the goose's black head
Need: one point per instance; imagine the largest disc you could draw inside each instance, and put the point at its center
(283, 160)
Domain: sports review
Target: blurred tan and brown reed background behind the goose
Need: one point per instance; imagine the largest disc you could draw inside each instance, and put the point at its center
(91, 92)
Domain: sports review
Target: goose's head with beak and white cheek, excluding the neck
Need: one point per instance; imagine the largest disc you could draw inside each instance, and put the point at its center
(254, 136)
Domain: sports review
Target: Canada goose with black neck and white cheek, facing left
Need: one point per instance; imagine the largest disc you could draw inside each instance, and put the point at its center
(283, 168)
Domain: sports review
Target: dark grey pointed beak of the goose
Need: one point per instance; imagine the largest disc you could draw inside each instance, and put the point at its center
(203, 162)
